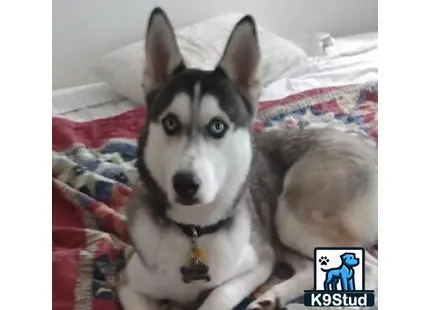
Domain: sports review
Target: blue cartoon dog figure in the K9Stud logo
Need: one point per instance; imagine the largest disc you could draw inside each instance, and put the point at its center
(344, 273)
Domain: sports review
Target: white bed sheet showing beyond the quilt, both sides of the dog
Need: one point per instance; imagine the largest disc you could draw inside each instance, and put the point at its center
(354, 60)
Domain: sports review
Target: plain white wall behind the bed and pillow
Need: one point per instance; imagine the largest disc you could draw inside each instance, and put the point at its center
(83, 30)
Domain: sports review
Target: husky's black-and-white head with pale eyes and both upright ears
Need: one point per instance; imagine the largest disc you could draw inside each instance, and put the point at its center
(196, 146)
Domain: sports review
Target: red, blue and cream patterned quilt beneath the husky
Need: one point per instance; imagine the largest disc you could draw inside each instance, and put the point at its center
(93, 167)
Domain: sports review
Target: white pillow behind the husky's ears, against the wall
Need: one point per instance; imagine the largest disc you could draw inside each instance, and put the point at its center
(201, 45)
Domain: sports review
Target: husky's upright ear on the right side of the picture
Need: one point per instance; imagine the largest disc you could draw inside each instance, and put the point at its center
(241, 58)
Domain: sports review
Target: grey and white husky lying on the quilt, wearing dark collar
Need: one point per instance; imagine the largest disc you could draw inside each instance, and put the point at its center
(217, 206)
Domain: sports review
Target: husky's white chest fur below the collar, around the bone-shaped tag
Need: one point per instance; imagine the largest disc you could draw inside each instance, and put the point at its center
(165, 252)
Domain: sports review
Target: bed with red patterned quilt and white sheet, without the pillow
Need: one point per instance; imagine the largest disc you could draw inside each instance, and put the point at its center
(94, 132)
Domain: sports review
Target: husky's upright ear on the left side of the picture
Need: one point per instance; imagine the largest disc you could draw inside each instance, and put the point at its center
(162, 55)
